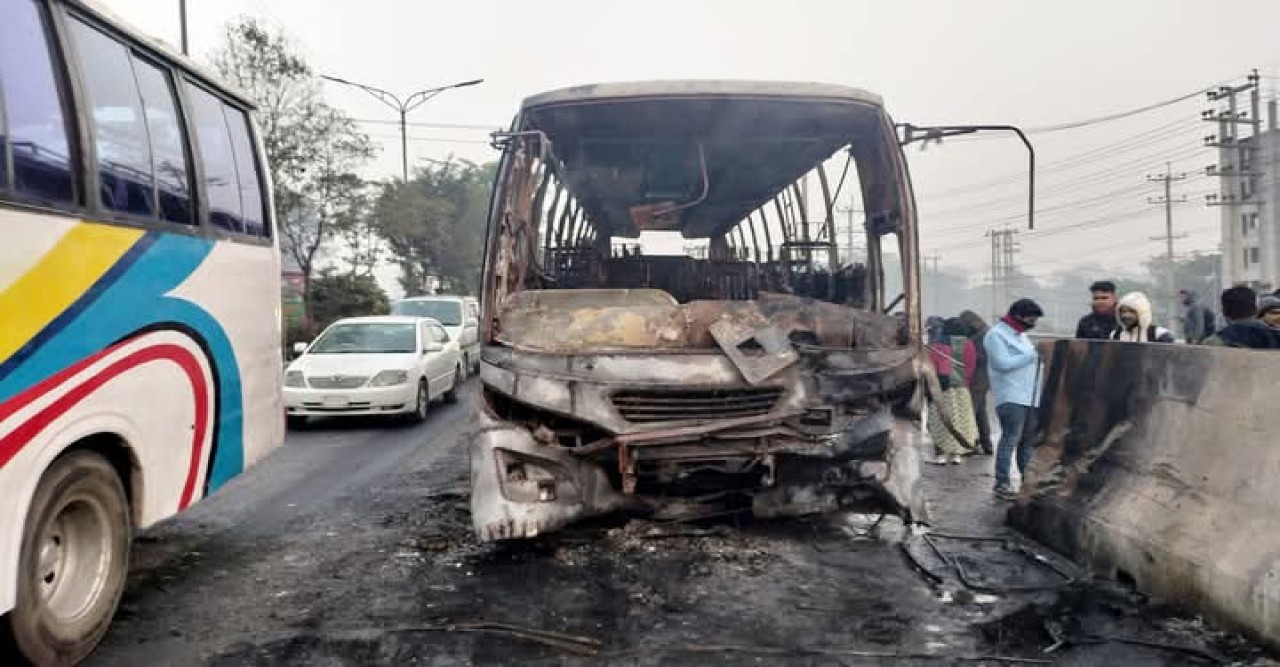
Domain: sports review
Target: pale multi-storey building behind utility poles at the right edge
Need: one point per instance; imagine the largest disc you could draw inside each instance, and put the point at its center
(1250, 205)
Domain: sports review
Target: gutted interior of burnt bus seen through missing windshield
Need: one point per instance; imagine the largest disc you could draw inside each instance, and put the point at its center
(758, 189)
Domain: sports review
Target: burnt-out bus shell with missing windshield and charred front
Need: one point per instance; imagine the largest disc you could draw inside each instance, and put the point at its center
(774, 366)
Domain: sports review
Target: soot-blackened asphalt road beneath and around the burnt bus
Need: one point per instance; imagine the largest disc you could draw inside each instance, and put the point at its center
(353, 546)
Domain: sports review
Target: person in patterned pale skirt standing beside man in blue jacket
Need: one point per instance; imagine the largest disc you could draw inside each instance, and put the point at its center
(952, 422)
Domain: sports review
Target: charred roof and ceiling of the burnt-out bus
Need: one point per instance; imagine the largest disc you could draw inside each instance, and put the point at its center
(630, 150)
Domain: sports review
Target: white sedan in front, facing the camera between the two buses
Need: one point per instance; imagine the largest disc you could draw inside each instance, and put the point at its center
(373, 367)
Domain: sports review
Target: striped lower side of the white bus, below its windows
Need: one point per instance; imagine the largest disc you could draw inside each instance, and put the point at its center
(159, 340)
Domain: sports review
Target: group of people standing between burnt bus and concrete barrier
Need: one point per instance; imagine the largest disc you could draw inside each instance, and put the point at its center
(975, 363)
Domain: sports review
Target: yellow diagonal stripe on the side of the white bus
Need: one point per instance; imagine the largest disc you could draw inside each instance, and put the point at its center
(66, 273)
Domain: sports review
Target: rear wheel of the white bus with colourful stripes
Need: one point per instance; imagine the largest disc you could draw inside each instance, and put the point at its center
(74, 561)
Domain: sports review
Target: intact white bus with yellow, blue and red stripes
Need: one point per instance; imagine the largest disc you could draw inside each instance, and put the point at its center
(140, 308)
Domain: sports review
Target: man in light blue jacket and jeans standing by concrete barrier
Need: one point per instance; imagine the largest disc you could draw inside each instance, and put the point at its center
(1014, 369)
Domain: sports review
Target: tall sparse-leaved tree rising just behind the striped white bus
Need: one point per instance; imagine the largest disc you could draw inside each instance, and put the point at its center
(313, 150)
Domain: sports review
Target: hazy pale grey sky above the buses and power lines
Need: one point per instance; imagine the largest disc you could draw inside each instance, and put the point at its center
(1025, 62)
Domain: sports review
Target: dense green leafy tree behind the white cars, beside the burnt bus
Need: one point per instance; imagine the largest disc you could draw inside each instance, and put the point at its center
(435, 226)
